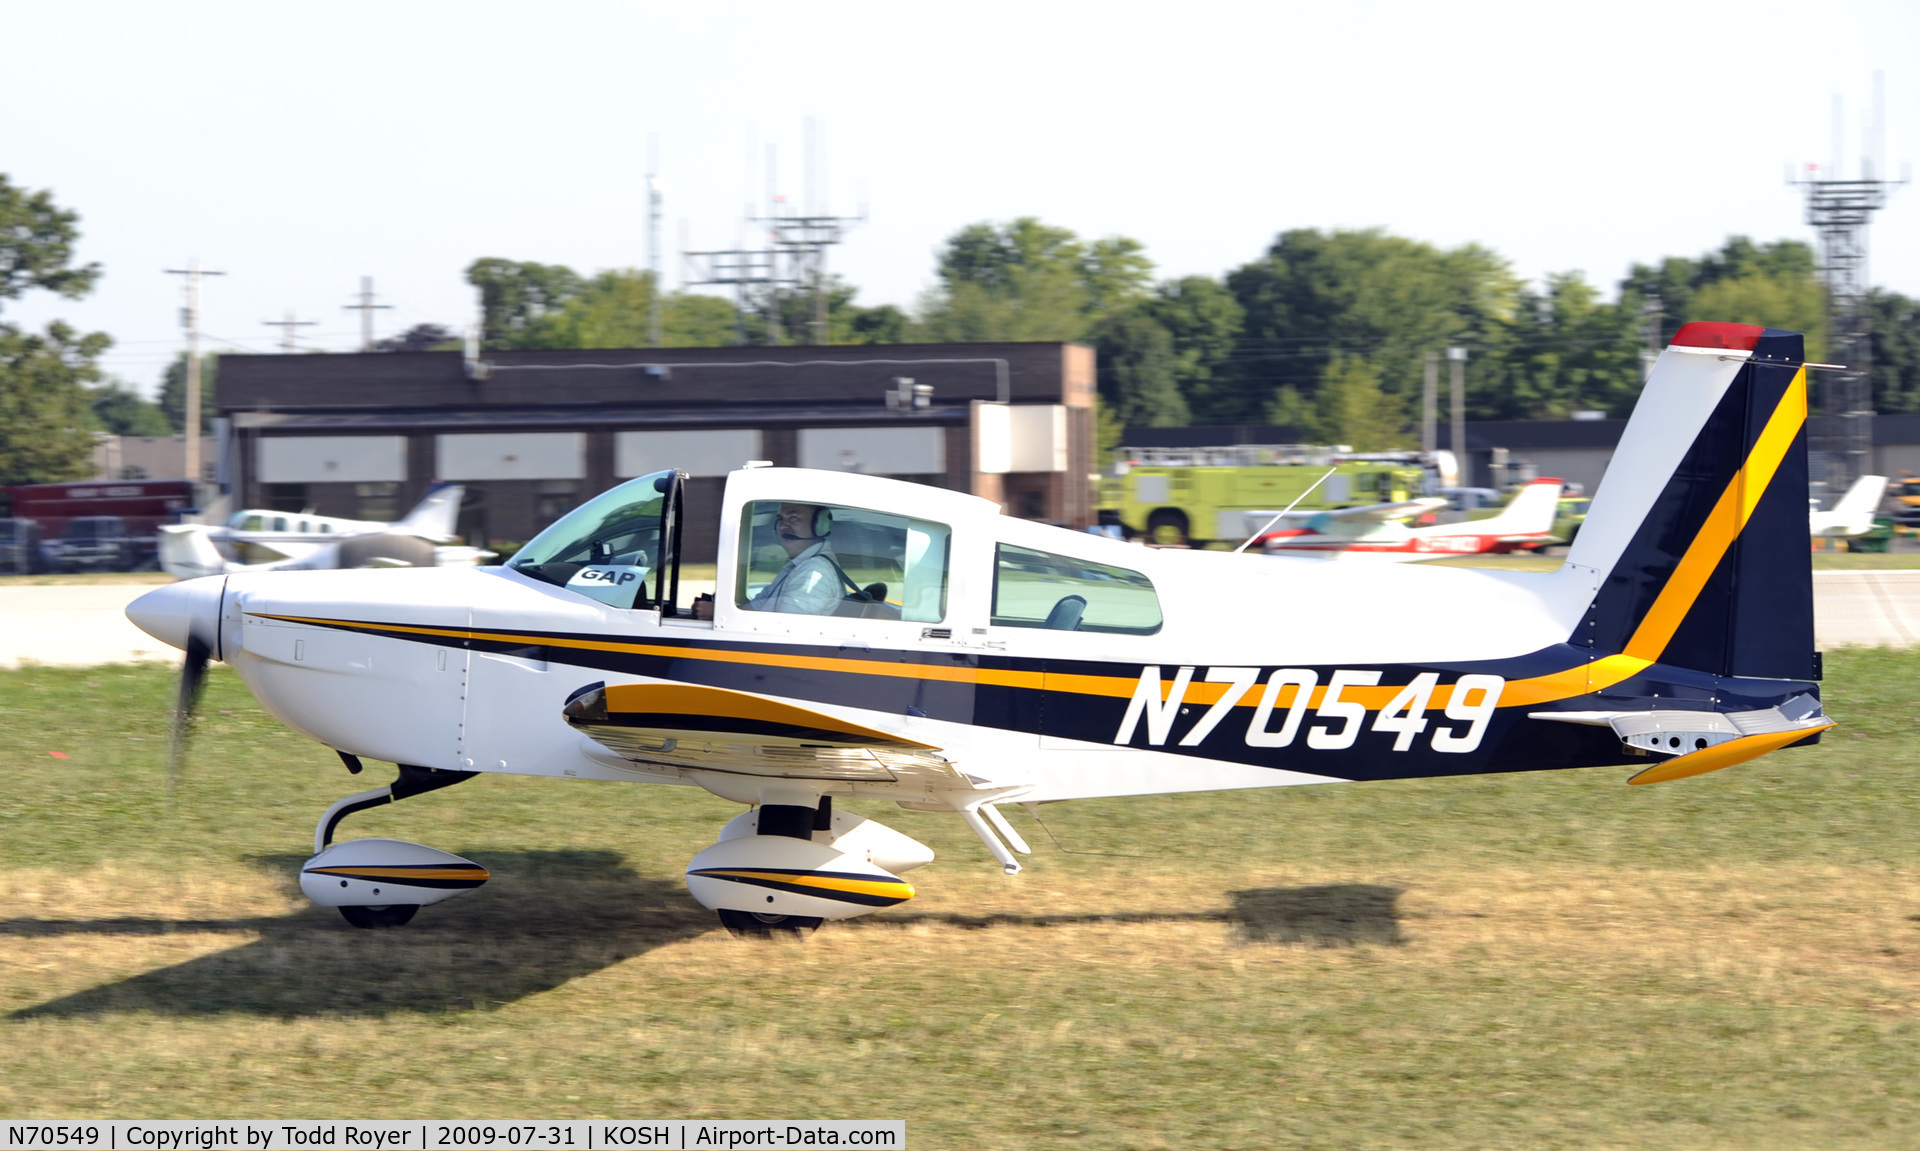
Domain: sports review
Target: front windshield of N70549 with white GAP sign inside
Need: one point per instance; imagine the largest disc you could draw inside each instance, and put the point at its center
(610, 547)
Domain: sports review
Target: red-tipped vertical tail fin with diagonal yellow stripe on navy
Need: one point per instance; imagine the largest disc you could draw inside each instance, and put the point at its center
(1698, 537)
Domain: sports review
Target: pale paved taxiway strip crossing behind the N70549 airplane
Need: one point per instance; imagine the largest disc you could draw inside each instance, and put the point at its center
(84, 625)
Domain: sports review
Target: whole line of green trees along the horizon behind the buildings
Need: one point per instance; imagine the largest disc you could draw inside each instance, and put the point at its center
(1326, 331)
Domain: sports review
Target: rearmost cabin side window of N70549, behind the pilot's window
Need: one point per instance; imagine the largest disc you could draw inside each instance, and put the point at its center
(1061, 593)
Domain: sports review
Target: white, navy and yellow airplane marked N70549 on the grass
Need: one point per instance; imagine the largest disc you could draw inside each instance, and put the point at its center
(882, 641)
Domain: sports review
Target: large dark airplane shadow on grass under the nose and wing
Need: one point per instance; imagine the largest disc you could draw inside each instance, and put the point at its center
(546, 918)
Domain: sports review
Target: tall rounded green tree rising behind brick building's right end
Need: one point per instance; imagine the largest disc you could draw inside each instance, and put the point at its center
(1030, 282)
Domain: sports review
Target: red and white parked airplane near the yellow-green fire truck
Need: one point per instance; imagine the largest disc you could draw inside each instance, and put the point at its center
(1380, 531)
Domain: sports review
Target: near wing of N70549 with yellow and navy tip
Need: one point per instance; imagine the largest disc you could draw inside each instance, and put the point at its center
(717, 729)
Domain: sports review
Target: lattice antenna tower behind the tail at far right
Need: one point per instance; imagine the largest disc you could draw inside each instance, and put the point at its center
(1840, 210)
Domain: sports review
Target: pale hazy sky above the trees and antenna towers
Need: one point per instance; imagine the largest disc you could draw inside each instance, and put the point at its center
(300, 147)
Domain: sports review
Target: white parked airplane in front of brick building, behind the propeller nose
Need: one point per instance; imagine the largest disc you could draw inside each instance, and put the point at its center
(281, 541)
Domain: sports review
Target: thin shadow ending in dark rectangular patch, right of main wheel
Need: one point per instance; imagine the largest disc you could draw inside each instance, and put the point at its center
(1326, 916)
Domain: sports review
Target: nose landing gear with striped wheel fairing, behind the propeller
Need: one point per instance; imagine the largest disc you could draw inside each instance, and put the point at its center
(385, 883)
